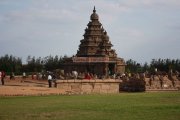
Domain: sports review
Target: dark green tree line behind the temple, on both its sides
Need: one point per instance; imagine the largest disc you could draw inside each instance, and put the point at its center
(10, 63)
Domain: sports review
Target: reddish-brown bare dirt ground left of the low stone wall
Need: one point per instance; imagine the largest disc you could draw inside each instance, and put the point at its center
(17, 87)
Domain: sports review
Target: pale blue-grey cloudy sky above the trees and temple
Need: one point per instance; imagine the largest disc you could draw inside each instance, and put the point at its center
(141, 30)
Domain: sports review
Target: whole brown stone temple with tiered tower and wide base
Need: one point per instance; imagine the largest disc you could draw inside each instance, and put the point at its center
(95, 54)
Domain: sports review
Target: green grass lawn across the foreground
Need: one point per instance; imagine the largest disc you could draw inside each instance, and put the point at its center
(123, 106)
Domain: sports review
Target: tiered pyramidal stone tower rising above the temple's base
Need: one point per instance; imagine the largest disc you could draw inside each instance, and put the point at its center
(96, 41)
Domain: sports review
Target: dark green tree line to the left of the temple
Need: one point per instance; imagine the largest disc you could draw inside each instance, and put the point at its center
(9, 63)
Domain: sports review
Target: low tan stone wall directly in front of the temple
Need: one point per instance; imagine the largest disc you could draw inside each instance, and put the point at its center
(89, 86)
